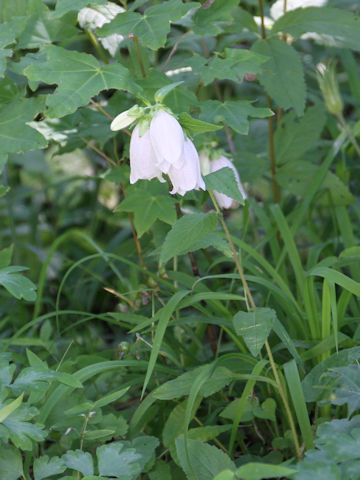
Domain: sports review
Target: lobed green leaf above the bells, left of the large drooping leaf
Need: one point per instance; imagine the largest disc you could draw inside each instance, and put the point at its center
(233, 66)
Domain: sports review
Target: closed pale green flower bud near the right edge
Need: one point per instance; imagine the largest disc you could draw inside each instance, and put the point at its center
(329, 88)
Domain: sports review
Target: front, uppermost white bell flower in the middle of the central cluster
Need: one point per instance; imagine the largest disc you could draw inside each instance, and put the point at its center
(167, 139)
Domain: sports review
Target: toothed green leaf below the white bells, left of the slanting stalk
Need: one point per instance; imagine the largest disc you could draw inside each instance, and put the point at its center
(187, 233)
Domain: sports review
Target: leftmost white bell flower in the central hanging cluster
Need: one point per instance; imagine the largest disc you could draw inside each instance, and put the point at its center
(142, 157)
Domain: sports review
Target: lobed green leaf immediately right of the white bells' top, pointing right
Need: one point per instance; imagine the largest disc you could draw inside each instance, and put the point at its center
(234, 113)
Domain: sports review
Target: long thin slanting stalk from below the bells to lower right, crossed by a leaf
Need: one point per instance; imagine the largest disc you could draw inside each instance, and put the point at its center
(267, 346)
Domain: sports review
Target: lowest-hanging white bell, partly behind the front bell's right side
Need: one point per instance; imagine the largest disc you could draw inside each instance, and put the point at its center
(188, 177)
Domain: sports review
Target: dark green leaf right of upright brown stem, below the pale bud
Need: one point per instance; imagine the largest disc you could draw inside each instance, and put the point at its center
(294, 136)
